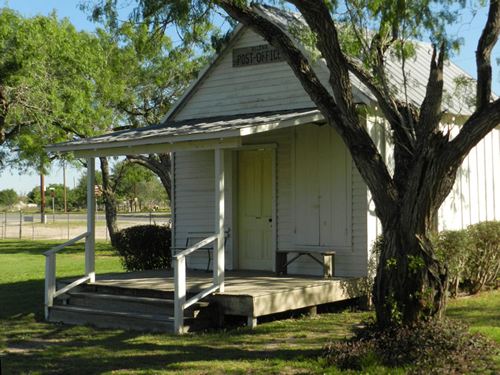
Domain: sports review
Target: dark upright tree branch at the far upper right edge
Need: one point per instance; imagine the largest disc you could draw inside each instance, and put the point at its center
(488, 39)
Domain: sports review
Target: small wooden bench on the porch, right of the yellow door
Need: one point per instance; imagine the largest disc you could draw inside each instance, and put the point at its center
(327, 261)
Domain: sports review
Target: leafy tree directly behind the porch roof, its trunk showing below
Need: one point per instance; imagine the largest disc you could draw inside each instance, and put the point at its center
(149, 73)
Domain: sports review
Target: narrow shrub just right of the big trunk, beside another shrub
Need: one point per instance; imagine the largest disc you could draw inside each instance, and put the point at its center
(453, 247)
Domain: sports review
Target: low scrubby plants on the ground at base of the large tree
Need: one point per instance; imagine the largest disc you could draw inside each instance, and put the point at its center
(437, 347)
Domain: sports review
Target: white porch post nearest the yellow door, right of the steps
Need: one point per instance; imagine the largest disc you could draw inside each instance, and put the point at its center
(218, 265)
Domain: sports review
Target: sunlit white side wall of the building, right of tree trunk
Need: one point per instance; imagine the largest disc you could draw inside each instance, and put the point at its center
(475, 197)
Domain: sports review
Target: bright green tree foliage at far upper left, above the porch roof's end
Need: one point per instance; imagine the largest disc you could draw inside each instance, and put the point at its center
(50, 76)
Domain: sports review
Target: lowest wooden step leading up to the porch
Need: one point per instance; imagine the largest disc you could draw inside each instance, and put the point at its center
(111, 319)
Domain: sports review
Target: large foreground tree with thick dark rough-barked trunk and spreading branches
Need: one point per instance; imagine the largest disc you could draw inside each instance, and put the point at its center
(410, 283)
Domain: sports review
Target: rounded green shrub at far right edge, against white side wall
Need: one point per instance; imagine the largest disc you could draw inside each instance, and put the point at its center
(483, 263)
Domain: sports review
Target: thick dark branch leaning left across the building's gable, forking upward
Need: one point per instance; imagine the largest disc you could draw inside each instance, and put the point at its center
(343, 117)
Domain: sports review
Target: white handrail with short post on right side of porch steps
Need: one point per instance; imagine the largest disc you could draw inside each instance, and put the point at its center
(180, 302)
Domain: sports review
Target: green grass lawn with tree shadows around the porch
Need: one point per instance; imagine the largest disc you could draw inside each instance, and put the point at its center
(293, 346)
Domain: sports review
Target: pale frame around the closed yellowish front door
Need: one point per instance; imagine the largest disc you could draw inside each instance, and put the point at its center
(266, 146)
